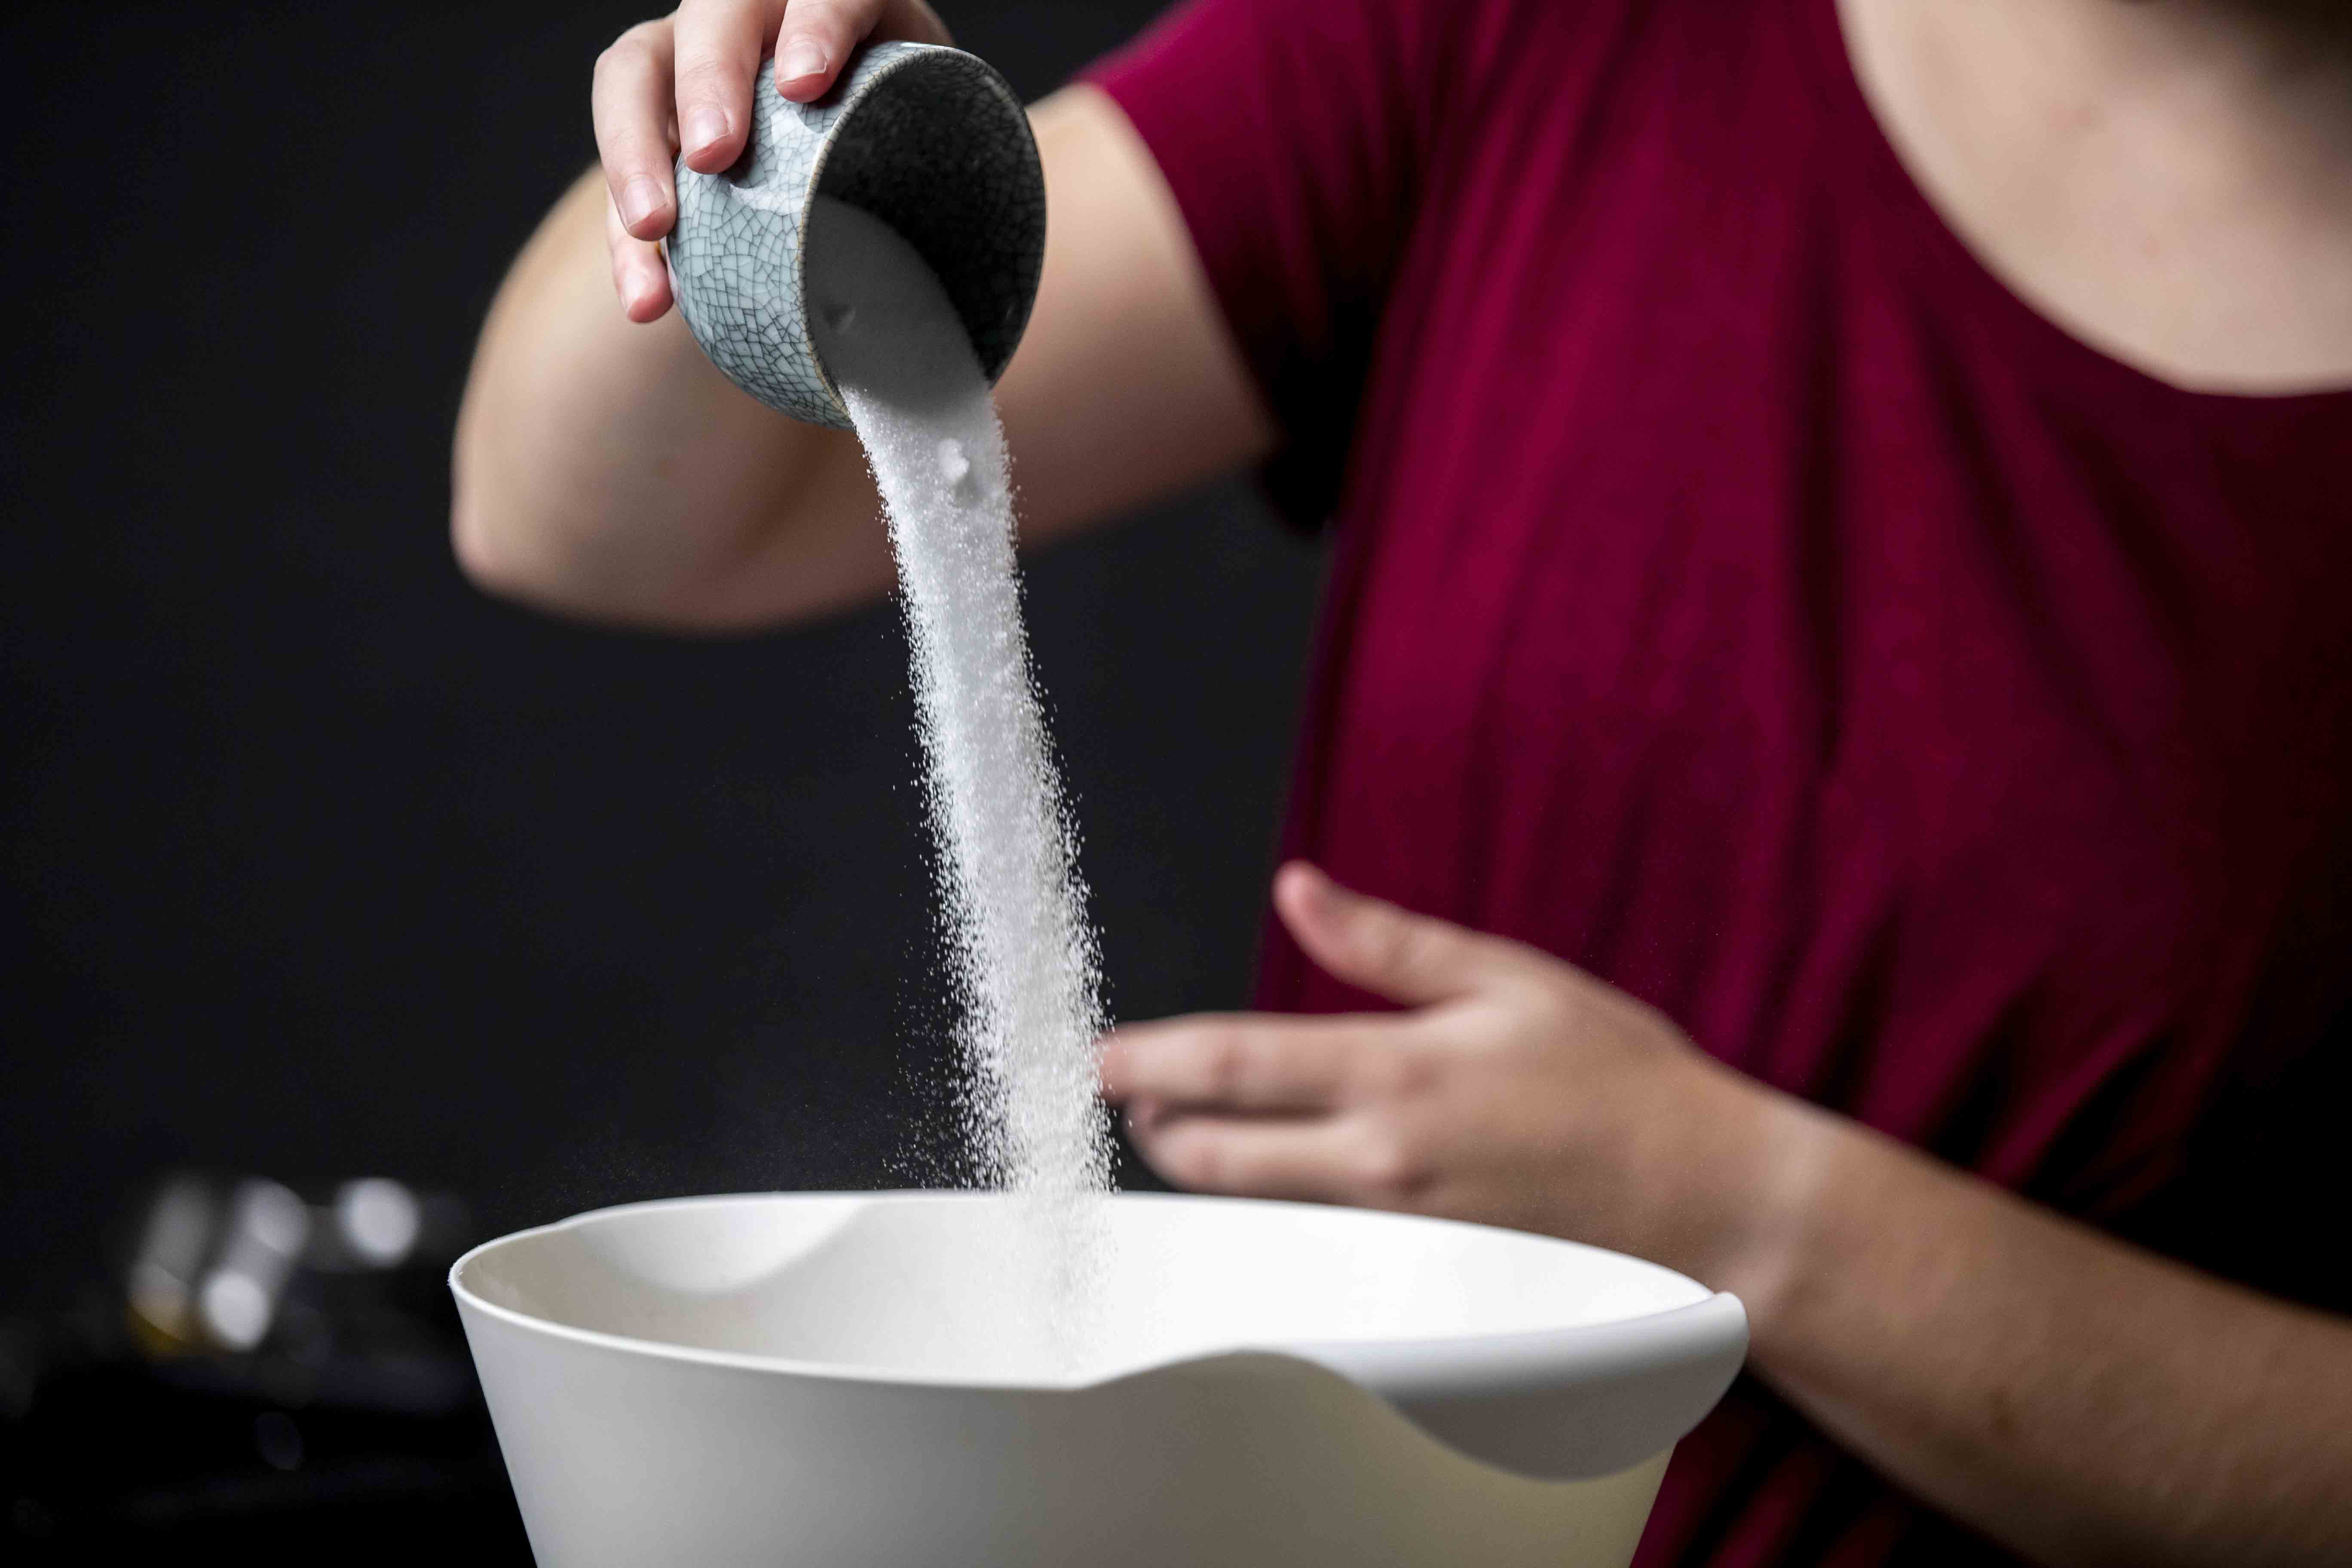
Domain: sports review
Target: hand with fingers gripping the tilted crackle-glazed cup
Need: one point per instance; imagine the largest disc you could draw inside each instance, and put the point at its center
(686, 83)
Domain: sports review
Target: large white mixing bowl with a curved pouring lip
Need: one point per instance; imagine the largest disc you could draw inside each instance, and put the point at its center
(838, 1381)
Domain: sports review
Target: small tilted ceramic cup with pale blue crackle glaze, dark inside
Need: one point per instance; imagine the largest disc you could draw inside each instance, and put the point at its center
(928, 140)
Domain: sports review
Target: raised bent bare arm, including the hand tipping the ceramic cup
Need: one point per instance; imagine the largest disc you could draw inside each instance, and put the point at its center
(606, 469)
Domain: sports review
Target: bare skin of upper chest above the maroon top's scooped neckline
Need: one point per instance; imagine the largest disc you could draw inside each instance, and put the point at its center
(2170, 180)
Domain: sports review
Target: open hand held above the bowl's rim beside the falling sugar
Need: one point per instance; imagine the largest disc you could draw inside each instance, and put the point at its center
(1516, 1092)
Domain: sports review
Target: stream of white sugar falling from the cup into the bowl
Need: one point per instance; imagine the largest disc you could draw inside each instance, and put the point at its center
(1013, 906)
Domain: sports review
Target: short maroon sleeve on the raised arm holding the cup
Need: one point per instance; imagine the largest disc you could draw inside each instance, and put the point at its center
(1295, 138)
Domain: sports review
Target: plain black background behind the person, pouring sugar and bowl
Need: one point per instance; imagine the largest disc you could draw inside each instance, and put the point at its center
(316, 862)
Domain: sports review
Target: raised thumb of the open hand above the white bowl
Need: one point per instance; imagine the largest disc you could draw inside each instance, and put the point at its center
(1394, 953)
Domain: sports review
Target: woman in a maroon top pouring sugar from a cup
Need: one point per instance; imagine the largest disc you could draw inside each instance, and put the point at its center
(1833, 669)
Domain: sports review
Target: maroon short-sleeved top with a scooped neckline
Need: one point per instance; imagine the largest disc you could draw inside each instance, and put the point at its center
(1744, 596)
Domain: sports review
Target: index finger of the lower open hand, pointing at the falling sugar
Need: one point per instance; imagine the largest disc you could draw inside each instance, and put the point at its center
(1241, 1061)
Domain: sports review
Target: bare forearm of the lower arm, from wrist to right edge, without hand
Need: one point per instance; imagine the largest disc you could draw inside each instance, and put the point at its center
(2073, 1398)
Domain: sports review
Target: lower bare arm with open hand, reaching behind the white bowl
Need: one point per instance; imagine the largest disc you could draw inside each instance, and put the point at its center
(2069, 1395)
